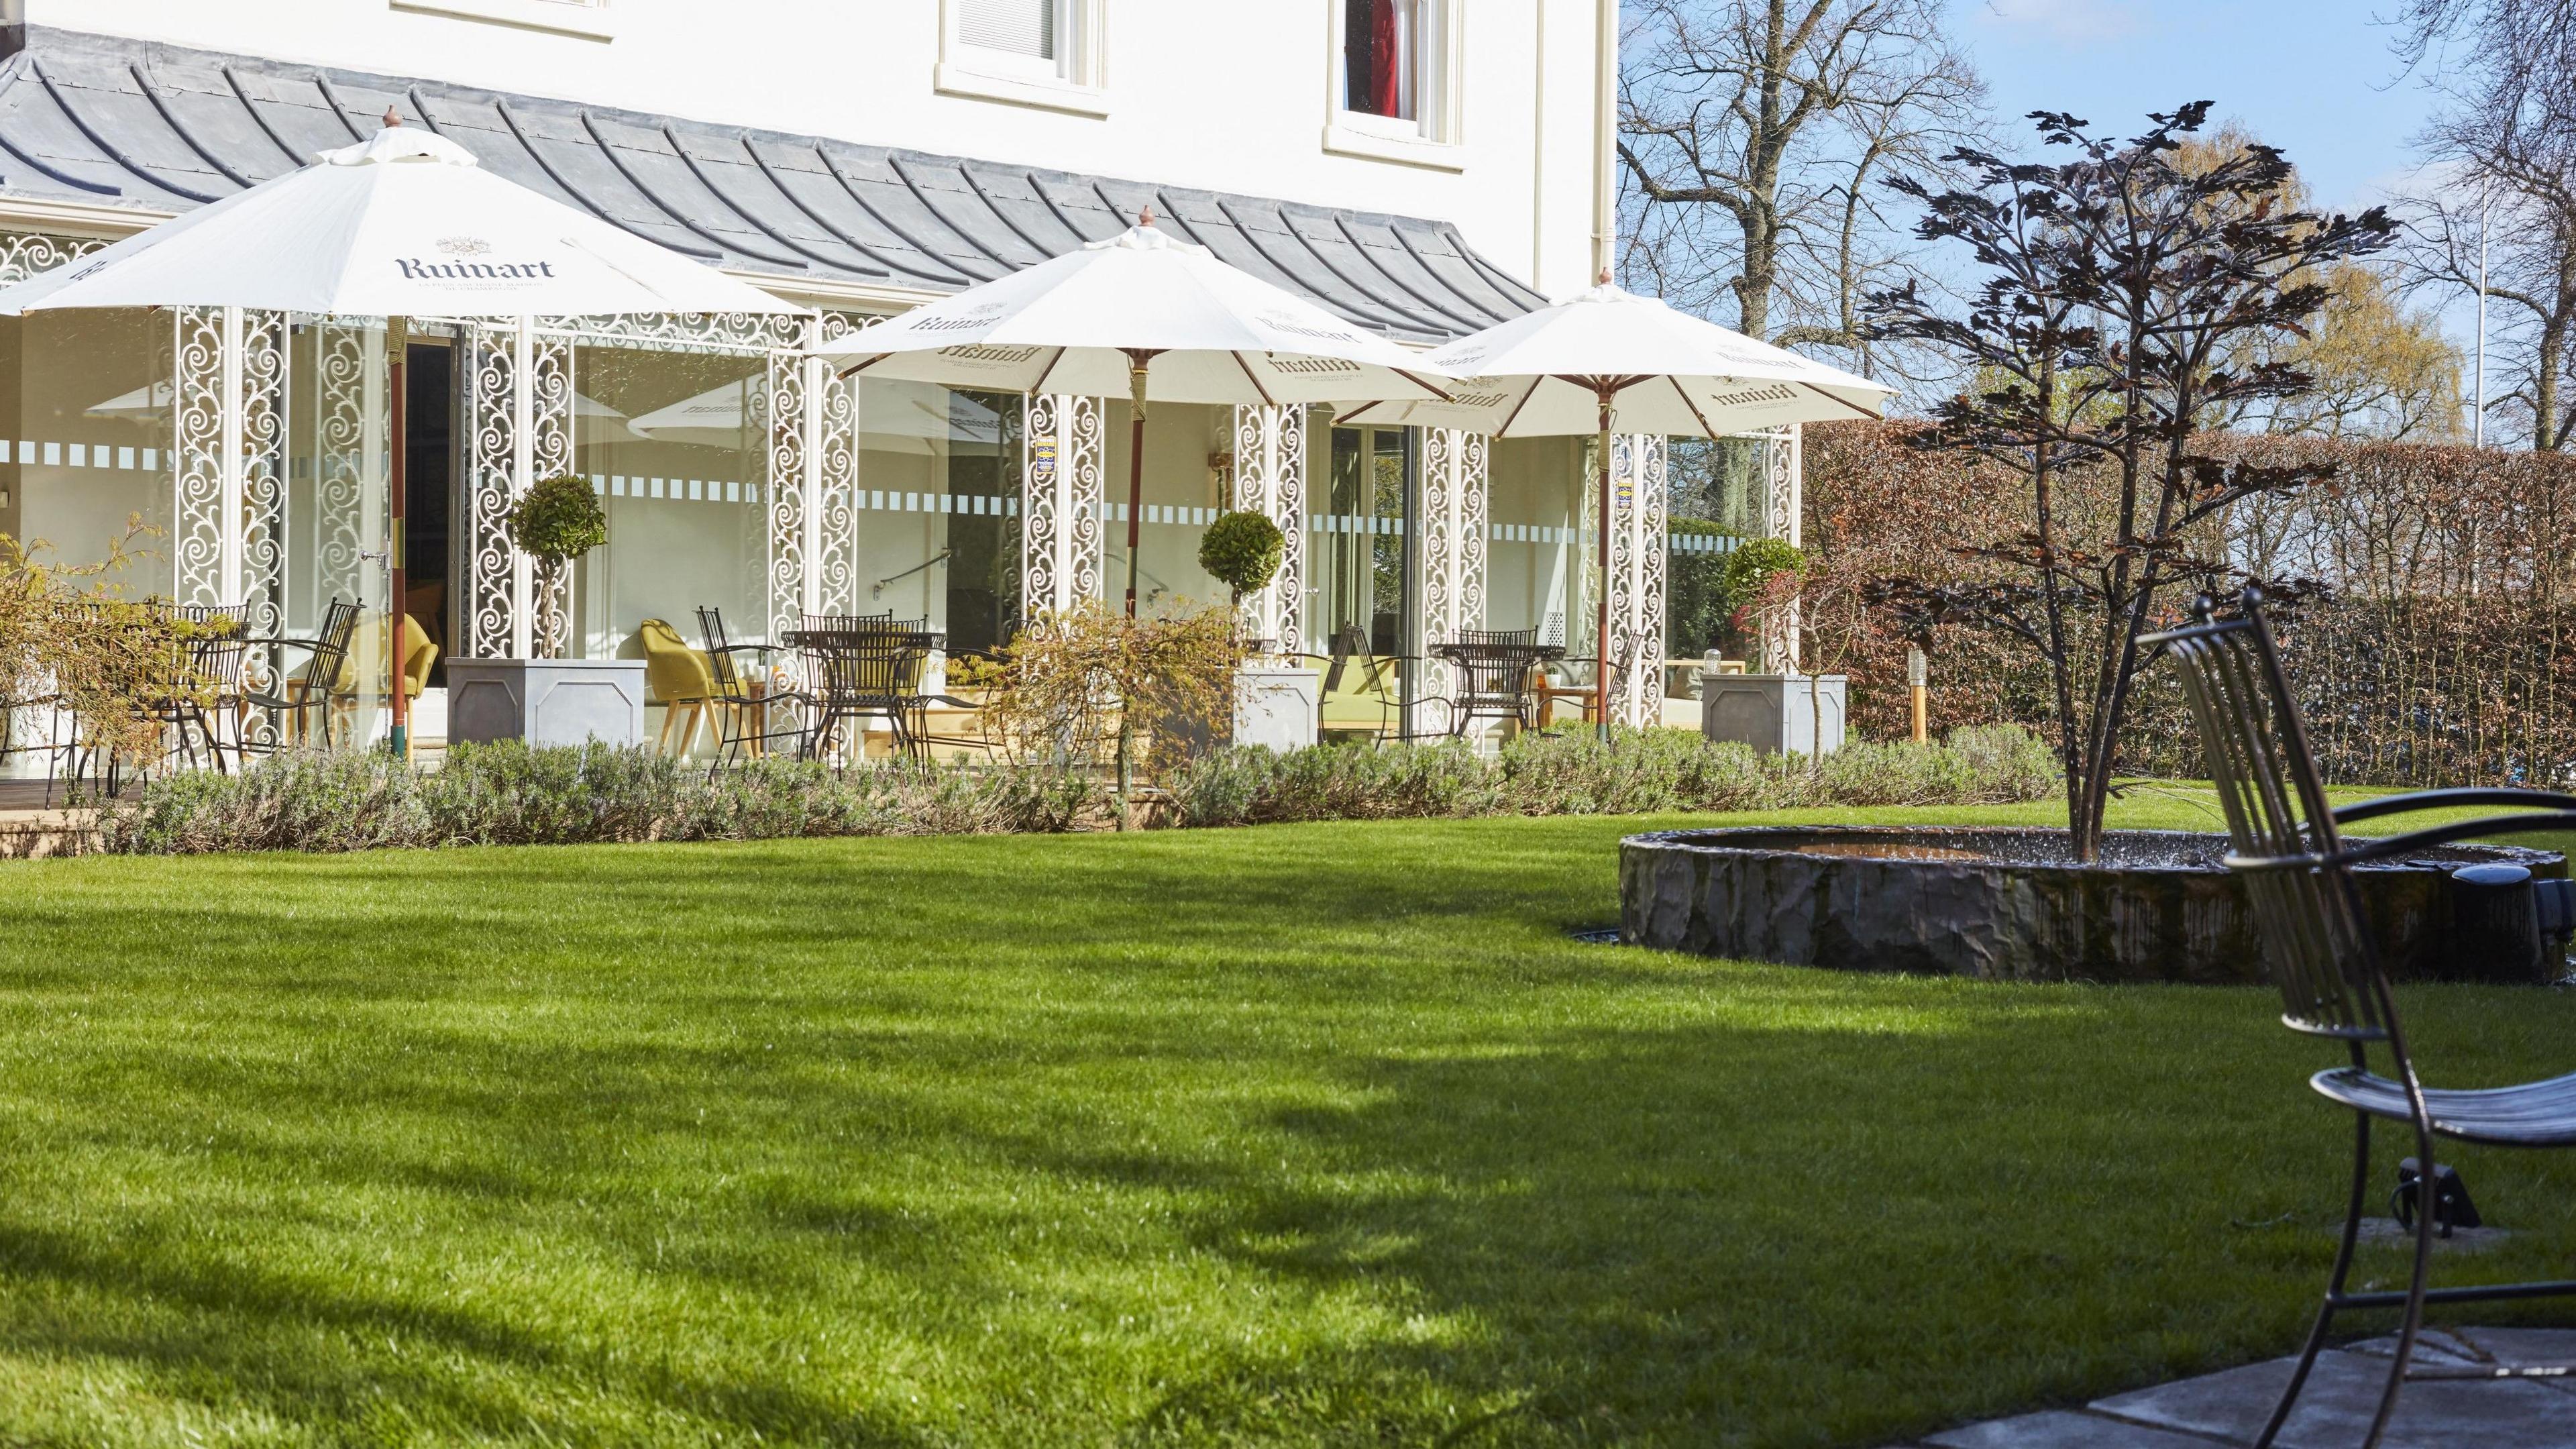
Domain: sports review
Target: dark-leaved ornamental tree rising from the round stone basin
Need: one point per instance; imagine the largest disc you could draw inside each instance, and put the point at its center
(2129, 298)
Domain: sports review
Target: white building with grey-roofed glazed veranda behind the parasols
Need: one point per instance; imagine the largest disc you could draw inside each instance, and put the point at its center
(1421, 166)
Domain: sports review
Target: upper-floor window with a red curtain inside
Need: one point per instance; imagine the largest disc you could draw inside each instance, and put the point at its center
(1397, 81)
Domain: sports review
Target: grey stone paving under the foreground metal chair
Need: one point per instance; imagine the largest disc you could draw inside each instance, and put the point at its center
(2338, 1409)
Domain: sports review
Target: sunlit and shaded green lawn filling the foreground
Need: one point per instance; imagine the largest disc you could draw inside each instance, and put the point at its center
(1294, 1136)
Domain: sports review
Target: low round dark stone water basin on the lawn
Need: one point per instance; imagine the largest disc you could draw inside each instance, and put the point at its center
(2016, 906)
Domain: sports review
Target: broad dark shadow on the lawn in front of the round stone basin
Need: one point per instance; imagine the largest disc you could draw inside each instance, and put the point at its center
(1771, 1234)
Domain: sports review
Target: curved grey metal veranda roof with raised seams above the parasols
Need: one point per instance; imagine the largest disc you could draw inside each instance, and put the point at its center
(158, 128)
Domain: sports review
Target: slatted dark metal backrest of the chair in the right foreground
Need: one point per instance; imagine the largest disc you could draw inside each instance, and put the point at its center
(2278, 824)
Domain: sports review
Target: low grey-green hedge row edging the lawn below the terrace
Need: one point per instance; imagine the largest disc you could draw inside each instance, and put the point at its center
(553, 795)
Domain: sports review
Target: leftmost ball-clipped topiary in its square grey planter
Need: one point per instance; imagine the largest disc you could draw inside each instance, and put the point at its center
(550, 700)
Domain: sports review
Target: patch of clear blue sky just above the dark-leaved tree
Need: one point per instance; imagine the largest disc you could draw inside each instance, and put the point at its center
(2309, 76)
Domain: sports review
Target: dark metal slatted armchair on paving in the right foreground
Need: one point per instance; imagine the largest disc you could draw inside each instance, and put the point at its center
(2299, 870)
